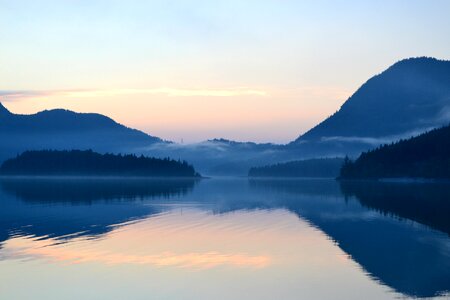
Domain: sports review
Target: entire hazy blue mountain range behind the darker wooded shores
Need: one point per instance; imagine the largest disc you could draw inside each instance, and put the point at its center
(410, 97)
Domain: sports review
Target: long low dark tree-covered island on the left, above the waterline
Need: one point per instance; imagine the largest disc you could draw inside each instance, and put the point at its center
(89, 163)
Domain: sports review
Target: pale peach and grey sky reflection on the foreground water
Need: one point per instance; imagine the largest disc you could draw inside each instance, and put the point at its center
(190, 253)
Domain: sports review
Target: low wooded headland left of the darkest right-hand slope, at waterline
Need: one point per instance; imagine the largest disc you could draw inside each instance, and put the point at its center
(320, 167)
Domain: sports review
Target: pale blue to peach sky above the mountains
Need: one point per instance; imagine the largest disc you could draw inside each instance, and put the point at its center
(263, 71)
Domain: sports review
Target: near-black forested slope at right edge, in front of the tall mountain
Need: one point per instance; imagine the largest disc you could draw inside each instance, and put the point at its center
(424, 156)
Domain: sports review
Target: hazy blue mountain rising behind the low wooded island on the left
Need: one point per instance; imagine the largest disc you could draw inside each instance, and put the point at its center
(63, 129)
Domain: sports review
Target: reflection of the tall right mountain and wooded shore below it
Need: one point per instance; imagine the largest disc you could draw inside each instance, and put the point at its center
(411, 259)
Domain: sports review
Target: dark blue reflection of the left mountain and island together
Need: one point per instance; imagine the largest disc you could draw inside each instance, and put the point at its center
(56, 208)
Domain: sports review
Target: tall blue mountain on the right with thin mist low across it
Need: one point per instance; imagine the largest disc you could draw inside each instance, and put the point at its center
(408, 98)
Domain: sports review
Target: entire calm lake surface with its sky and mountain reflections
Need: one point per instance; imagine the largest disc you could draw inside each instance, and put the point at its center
(225, 238)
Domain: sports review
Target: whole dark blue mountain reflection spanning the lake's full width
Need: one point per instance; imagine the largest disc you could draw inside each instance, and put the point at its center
(410, 258)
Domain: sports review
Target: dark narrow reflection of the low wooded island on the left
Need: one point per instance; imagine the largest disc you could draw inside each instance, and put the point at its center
(83, 190)
